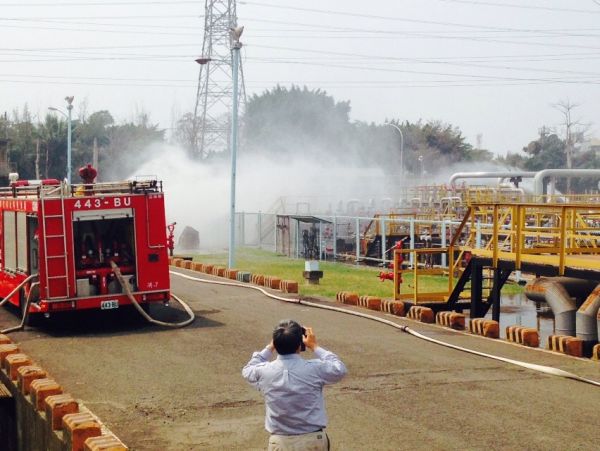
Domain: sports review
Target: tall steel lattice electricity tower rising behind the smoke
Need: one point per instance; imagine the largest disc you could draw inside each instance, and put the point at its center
(214, 96)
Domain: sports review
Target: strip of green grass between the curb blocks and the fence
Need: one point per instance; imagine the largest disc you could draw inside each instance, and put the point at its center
(336, 276)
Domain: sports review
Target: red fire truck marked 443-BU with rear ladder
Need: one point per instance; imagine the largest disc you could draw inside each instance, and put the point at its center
(58, 240)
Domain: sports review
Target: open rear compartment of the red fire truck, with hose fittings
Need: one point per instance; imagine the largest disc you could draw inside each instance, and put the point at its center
(97, 240)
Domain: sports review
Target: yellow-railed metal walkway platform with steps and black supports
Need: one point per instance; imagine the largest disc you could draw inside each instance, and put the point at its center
(548, 239)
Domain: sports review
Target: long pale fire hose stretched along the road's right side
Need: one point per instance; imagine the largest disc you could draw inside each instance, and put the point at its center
(532, 366)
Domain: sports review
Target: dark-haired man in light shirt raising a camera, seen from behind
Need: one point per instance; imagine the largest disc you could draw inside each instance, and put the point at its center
(293, 387)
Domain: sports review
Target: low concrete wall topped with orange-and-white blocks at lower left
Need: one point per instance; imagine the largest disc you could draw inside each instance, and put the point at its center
(41, 408)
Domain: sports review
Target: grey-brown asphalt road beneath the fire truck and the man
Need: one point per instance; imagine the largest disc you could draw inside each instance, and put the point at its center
(161, 389)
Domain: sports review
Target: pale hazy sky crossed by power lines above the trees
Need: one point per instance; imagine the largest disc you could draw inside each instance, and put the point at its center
(493, 68)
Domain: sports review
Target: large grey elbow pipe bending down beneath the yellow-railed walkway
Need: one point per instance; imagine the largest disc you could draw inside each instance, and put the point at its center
(561, 294)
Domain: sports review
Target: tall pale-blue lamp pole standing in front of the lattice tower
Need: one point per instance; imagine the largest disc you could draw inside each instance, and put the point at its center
(236, 45)
